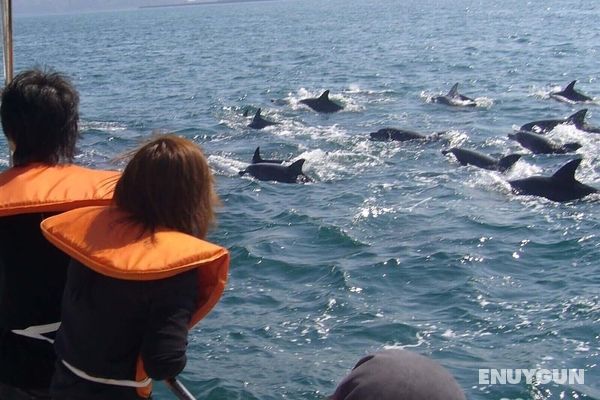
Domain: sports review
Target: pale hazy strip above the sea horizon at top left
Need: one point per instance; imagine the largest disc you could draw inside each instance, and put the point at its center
(67, 6)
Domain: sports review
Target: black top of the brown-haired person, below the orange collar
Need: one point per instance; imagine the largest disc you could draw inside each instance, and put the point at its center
(107, 323)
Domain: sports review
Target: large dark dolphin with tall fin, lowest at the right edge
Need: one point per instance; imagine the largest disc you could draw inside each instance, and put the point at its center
(562, 186)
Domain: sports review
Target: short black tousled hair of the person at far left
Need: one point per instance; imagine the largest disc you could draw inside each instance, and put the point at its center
(40, 116)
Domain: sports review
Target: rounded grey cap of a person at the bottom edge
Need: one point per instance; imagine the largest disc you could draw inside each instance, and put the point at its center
(395, 374)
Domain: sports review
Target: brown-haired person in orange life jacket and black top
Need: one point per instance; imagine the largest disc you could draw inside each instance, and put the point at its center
(141, 275)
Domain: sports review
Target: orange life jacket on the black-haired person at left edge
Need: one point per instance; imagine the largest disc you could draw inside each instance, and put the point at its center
(43, 188)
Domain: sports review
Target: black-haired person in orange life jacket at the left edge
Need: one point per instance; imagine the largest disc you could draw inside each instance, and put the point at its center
(40, 120)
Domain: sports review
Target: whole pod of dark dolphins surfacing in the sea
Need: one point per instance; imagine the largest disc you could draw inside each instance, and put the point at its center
(561, 186)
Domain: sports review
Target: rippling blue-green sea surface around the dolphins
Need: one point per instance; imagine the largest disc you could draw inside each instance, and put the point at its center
(393, 245)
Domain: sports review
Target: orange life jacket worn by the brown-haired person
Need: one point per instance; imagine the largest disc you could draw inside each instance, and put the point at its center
(104, 241)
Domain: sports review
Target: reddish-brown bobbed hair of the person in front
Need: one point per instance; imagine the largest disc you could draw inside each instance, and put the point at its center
(168, 184)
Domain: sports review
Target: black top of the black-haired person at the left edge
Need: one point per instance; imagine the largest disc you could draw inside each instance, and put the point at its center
(32, 276)
